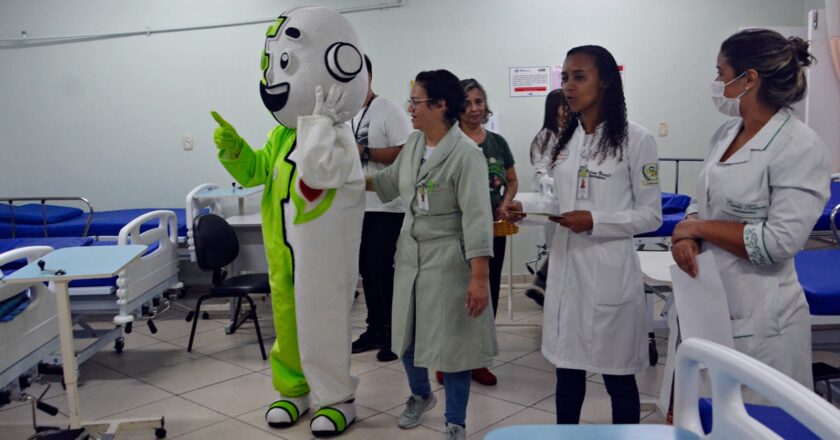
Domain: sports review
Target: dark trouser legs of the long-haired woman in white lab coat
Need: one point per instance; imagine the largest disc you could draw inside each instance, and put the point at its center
(571, 389)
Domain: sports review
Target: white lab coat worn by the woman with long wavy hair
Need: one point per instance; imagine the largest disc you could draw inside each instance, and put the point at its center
(594, 316)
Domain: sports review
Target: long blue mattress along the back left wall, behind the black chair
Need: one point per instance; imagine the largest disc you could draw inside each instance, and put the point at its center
(104, 223)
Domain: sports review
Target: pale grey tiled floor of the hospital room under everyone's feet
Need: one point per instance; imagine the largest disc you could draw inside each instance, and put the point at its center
(222, 388)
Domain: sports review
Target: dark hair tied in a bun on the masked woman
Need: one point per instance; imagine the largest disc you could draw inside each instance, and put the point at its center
(779, 61)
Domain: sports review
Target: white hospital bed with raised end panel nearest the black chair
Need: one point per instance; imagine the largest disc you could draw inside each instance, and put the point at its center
(135, 293)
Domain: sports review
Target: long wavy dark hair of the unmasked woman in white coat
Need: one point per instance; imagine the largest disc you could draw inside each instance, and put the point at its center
(613, 108)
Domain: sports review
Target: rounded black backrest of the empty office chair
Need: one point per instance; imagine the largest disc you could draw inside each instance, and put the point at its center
(216, 244)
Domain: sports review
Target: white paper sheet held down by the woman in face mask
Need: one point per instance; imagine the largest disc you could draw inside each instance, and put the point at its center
(702, 308)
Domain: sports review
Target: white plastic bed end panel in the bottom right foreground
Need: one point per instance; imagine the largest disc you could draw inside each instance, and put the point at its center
(728, 370)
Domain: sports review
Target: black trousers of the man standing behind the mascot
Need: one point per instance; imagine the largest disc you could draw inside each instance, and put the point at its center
(376, 265)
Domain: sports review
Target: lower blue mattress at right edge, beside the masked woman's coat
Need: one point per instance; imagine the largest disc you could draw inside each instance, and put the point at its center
(819, 274)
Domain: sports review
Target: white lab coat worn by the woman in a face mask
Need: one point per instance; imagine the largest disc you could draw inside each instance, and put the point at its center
(777, 185)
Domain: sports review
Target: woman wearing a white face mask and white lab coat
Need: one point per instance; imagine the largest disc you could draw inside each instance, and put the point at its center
(762, 188)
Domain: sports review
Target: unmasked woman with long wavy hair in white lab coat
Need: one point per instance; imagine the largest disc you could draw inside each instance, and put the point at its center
(606, 183)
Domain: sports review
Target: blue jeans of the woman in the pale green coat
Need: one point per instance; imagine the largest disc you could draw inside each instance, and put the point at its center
(456, 385)
